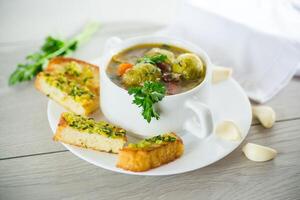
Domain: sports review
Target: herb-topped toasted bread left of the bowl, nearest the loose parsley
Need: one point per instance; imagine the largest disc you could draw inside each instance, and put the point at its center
(72, 83)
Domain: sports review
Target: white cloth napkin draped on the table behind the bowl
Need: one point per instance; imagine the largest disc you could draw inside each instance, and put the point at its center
(243, 35)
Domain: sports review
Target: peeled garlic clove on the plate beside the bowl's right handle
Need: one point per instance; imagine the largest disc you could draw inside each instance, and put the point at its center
(228, 130)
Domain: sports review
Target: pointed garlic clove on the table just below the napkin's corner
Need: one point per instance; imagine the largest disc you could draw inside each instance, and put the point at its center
(265, 115)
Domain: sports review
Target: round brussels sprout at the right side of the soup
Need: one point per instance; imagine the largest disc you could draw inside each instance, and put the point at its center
(188, 65)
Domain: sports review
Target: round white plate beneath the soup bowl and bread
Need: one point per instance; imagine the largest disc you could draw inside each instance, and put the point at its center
(228, 102)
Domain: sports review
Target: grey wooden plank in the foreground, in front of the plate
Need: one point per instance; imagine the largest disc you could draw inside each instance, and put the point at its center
(62, 175)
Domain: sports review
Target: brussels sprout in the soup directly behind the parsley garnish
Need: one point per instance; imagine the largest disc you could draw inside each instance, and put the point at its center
(140, 73)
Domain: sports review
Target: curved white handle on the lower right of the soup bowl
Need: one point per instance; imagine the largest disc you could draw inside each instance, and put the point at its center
(201, 125)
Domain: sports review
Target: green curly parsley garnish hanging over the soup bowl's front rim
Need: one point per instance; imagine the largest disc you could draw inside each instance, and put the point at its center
(146, 96)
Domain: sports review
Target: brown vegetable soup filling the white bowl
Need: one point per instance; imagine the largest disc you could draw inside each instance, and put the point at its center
(177, 68)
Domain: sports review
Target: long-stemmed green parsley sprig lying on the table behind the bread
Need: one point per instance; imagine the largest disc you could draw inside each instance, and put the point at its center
(52, 47)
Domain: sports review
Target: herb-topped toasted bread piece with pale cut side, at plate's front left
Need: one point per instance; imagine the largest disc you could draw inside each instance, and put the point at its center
(87, 133)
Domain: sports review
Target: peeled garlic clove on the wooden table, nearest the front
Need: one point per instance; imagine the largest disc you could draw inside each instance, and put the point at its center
(259, 153)
